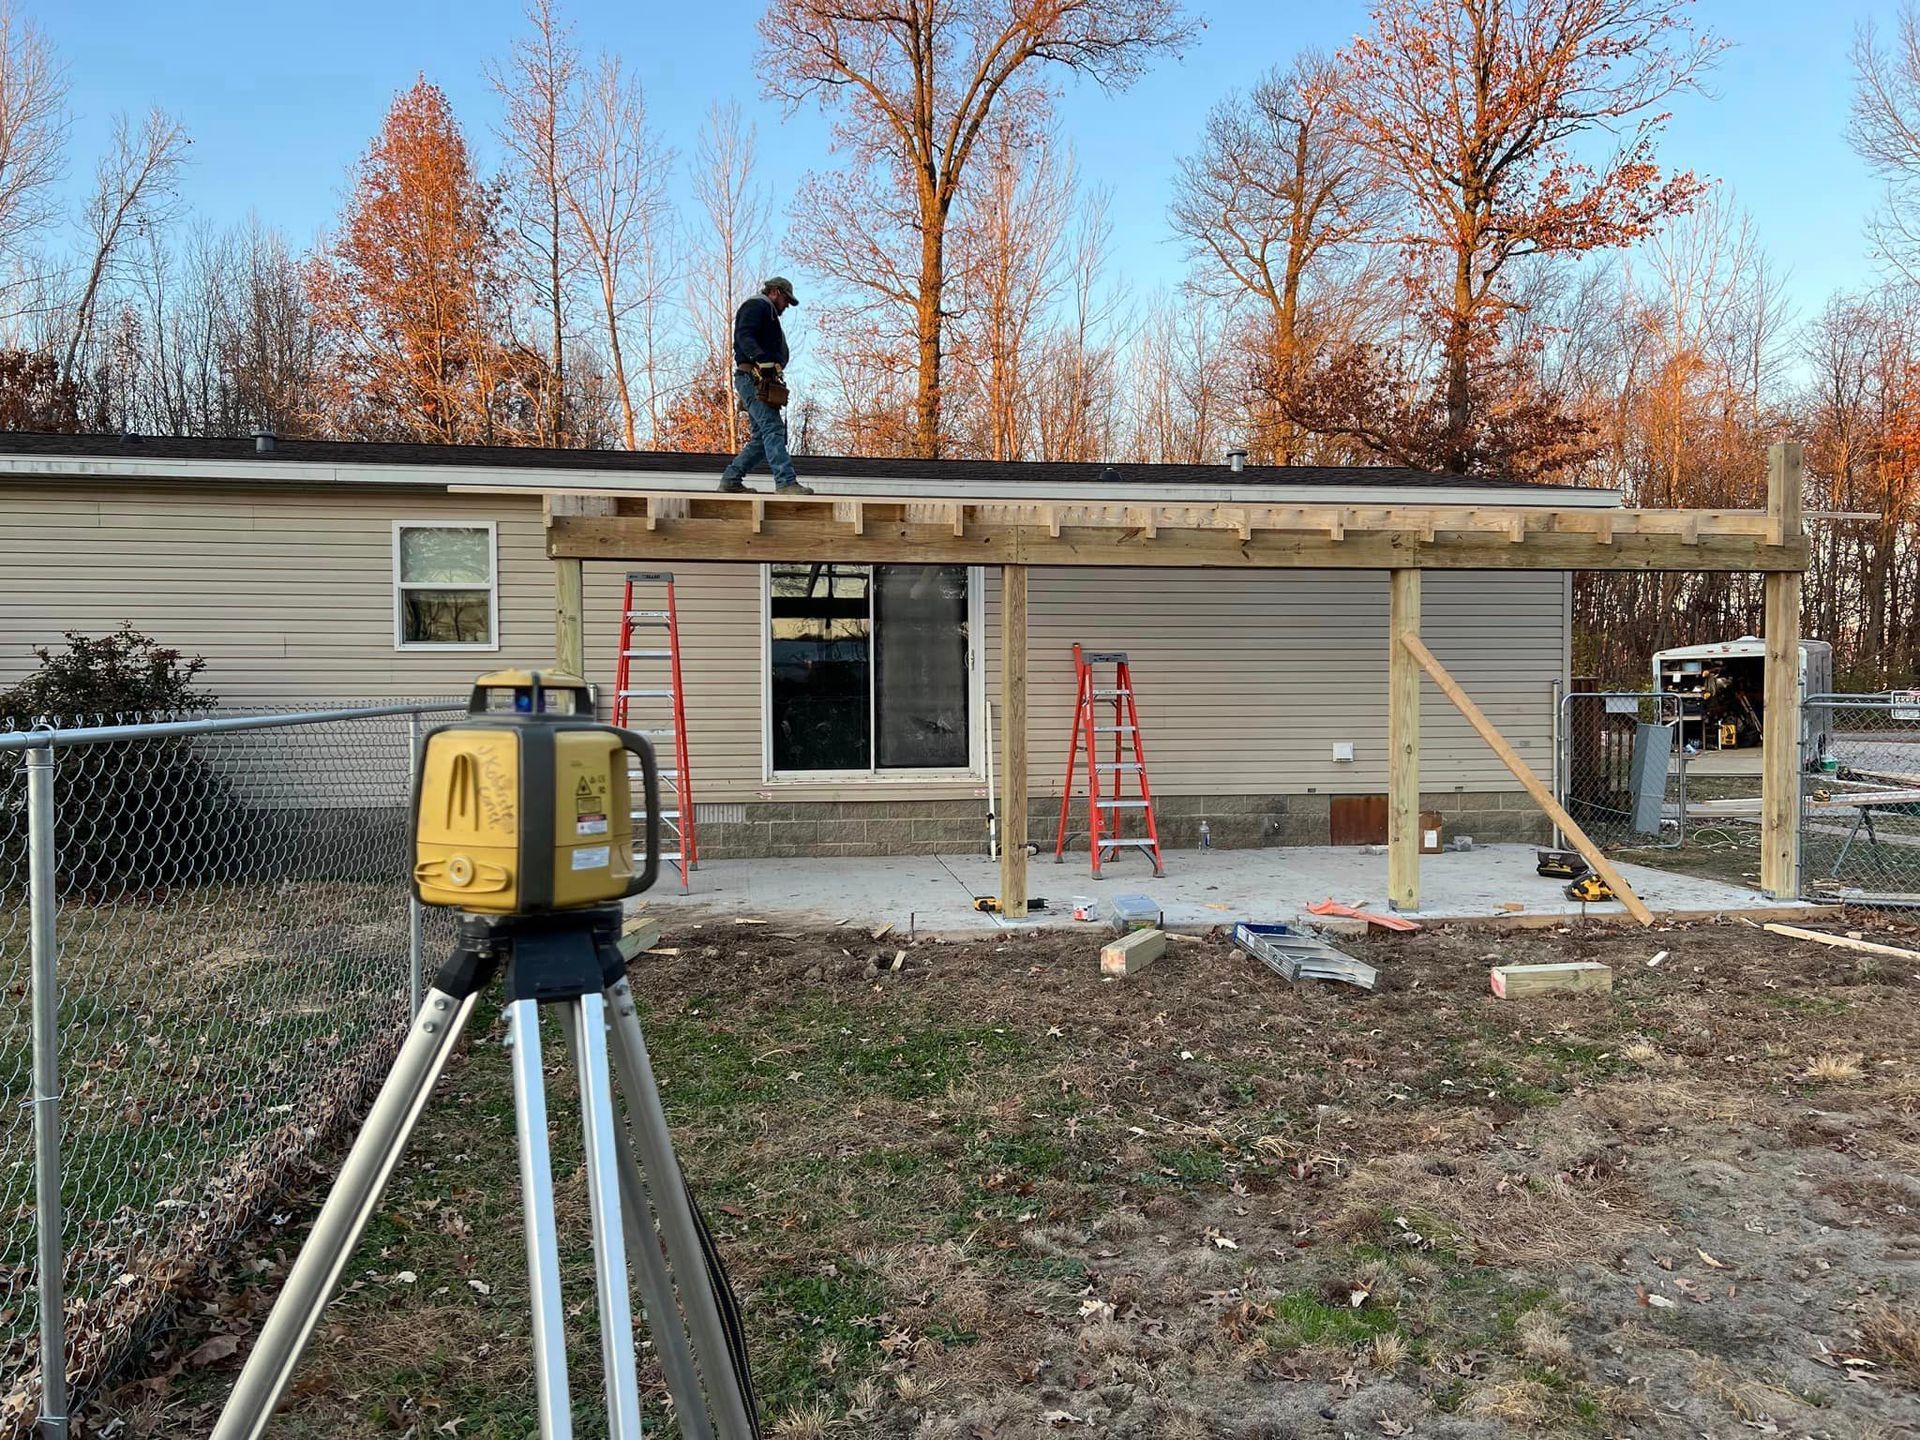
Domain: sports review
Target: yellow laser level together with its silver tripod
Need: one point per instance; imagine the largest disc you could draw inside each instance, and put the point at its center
(523, 823)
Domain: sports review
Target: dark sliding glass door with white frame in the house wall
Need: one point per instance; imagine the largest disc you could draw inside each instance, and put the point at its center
(871, 667)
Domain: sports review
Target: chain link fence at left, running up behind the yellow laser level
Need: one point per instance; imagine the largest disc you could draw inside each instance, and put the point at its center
(206, 957)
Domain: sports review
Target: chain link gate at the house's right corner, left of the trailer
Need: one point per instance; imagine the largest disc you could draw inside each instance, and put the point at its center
(1621, 767)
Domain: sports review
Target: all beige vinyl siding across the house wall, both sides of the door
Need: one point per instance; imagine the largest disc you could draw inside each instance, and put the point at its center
(1245, 679)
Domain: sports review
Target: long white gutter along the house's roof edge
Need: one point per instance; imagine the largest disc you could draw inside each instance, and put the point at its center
(546, 481)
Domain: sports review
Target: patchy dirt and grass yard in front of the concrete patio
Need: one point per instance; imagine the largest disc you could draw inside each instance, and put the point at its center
(990, 1195)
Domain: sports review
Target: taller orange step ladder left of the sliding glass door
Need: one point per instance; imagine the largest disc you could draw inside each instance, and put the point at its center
(656, 706)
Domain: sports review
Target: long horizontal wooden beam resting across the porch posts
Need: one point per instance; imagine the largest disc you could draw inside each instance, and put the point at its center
(999, 535)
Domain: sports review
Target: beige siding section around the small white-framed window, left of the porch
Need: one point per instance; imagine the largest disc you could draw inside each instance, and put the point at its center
(289, 598)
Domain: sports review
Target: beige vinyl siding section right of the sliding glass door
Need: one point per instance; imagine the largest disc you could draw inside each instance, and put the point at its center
(1247, 681)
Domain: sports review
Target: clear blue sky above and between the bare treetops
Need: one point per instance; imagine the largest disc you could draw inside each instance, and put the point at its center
(283, 97)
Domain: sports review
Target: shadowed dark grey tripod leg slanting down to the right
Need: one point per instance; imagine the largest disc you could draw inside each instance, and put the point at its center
(677, 1216)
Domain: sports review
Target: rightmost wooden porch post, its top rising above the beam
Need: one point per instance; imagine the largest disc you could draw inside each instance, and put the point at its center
(1781, 736)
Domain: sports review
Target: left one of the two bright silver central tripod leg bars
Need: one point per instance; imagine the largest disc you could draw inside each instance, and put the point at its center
(542, 1243)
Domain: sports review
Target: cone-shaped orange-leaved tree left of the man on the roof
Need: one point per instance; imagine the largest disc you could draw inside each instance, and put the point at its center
(408, 297)
